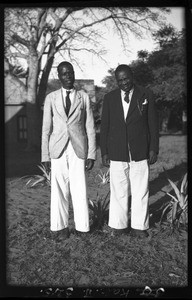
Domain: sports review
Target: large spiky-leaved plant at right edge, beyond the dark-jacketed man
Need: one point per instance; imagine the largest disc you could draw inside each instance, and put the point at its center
(177, 208)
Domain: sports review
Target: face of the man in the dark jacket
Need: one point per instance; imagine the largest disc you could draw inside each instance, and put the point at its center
(124, 80)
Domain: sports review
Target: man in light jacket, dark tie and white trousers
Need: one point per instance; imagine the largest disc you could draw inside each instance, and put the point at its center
(69, 147)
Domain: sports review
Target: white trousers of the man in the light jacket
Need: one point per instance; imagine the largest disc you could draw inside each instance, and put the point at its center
(68, 181)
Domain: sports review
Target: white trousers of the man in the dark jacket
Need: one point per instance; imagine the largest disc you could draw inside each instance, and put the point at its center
(129, 179)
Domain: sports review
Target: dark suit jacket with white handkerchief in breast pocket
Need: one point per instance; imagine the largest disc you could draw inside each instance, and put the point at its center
(140, 131)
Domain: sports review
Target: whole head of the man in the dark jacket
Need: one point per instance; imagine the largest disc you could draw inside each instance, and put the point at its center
(124, 77)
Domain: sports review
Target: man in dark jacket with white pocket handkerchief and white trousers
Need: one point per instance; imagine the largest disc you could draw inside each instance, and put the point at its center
(129, 141)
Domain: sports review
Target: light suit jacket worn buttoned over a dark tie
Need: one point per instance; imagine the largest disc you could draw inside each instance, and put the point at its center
(57, 128)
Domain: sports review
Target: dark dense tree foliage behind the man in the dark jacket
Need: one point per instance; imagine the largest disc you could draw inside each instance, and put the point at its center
(164, 71)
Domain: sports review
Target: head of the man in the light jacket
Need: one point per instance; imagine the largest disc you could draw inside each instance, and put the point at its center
(66, 74)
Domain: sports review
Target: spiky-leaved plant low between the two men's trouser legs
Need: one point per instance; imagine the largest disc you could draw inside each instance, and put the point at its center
(100, 209)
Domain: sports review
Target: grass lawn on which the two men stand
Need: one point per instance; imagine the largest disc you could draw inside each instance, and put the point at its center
(100, 260)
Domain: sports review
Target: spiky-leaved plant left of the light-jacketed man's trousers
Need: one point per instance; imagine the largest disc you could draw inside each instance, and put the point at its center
(34, 180)
